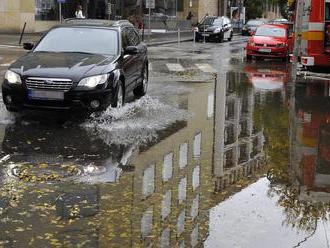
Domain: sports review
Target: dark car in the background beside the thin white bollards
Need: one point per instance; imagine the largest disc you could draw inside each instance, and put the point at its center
(214, 28)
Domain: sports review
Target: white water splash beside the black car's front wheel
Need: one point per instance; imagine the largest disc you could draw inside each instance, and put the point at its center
(136, 123)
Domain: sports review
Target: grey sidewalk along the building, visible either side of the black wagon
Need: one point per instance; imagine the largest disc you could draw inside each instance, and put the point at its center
(156, 38)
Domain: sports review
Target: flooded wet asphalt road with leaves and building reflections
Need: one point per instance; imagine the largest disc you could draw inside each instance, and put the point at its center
(220, 153)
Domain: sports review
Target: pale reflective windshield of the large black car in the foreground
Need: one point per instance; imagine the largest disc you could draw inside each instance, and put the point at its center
(80, 40)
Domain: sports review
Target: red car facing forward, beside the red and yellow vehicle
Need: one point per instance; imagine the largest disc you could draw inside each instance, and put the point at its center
(270, 41)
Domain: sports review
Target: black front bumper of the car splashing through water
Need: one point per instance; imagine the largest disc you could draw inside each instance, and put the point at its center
(73, 99)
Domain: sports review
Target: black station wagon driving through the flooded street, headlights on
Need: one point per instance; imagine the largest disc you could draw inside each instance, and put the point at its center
(83, 64)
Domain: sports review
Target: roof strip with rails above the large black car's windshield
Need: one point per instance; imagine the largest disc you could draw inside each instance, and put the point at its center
(96, 22)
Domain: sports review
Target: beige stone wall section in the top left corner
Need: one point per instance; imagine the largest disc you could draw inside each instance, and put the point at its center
(13, 14)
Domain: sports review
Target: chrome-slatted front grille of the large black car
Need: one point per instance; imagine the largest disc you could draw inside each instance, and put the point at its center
(59, 84)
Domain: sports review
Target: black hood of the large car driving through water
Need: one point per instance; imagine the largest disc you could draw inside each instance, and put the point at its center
(73, 66)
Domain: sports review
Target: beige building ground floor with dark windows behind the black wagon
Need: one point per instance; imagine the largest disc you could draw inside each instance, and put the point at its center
(39, 15)
